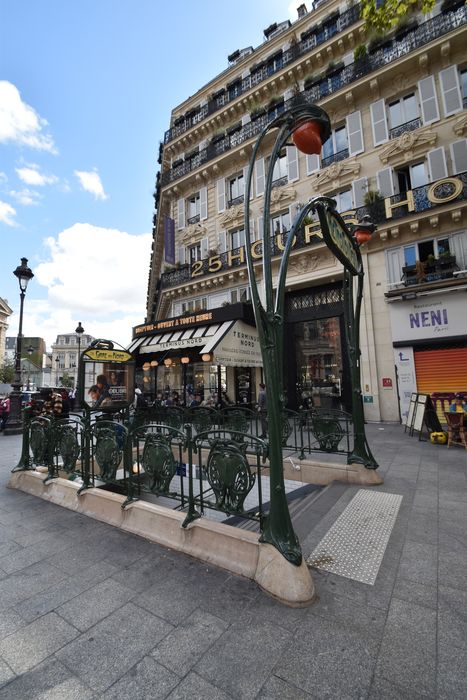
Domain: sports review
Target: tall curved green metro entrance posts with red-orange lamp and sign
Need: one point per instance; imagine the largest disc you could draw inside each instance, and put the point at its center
(309, 127)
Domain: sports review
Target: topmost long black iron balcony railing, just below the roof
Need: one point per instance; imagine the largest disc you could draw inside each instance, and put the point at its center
(347, 18)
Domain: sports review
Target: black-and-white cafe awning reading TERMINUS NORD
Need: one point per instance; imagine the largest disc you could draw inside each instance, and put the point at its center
(233, 343)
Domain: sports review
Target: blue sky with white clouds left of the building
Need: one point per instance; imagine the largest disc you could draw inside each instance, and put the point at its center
(86, 92)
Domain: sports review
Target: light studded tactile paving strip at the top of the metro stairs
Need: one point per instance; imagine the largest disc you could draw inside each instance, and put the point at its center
(354, 546)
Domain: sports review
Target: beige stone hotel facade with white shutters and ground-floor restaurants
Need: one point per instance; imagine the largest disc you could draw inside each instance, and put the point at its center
(398, 152)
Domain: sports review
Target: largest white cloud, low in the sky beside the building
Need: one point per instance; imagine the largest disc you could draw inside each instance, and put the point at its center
(95, 275)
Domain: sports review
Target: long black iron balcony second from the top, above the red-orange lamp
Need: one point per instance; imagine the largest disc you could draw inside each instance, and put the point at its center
(430, 30)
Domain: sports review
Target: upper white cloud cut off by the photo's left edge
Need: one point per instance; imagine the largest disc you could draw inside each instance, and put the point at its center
(20, 123)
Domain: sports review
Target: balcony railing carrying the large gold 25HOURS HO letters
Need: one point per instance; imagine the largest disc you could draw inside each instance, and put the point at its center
(423, 200)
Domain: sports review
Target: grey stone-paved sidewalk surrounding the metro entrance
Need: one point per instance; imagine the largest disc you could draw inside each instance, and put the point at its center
(87, 611)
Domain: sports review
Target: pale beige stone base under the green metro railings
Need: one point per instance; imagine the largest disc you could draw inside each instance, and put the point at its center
(230, 548)
